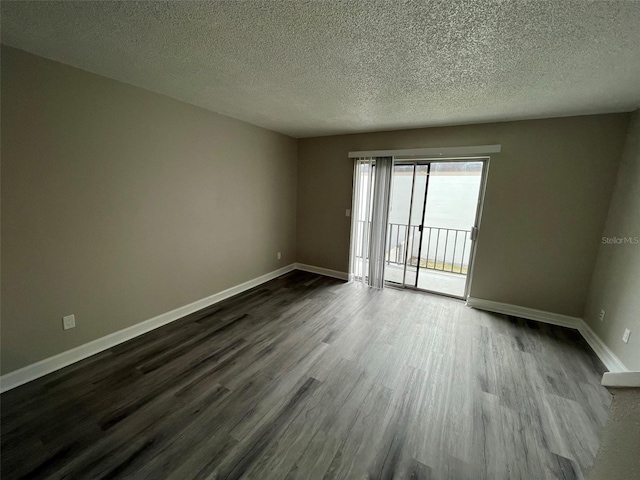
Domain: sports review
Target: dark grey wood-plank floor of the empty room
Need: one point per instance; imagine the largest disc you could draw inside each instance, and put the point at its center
(307, 377)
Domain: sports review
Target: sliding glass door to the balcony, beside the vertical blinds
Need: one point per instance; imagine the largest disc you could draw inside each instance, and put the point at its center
(433, 213)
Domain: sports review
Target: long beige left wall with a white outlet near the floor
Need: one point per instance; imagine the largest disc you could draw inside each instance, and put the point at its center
(119, 204)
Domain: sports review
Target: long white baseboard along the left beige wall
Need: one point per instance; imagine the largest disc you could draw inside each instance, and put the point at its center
(51, 364)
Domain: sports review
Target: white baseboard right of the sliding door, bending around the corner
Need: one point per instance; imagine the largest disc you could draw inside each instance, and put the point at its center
(610, 360)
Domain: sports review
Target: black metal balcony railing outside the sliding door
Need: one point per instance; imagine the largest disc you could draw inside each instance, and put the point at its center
(443, 249)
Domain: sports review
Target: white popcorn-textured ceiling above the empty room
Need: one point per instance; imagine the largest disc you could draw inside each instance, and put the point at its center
(309, 68)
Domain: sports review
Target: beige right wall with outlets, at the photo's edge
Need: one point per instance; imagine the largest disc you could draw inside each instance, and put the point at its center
(615, 286)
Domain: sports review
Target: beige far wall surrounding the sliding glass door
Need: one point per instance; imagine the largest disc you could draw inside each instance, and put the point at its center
(545, 205)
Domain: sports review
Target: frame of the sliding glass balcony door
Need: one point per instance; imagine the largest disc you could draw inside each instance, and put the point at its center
(409, 160)
